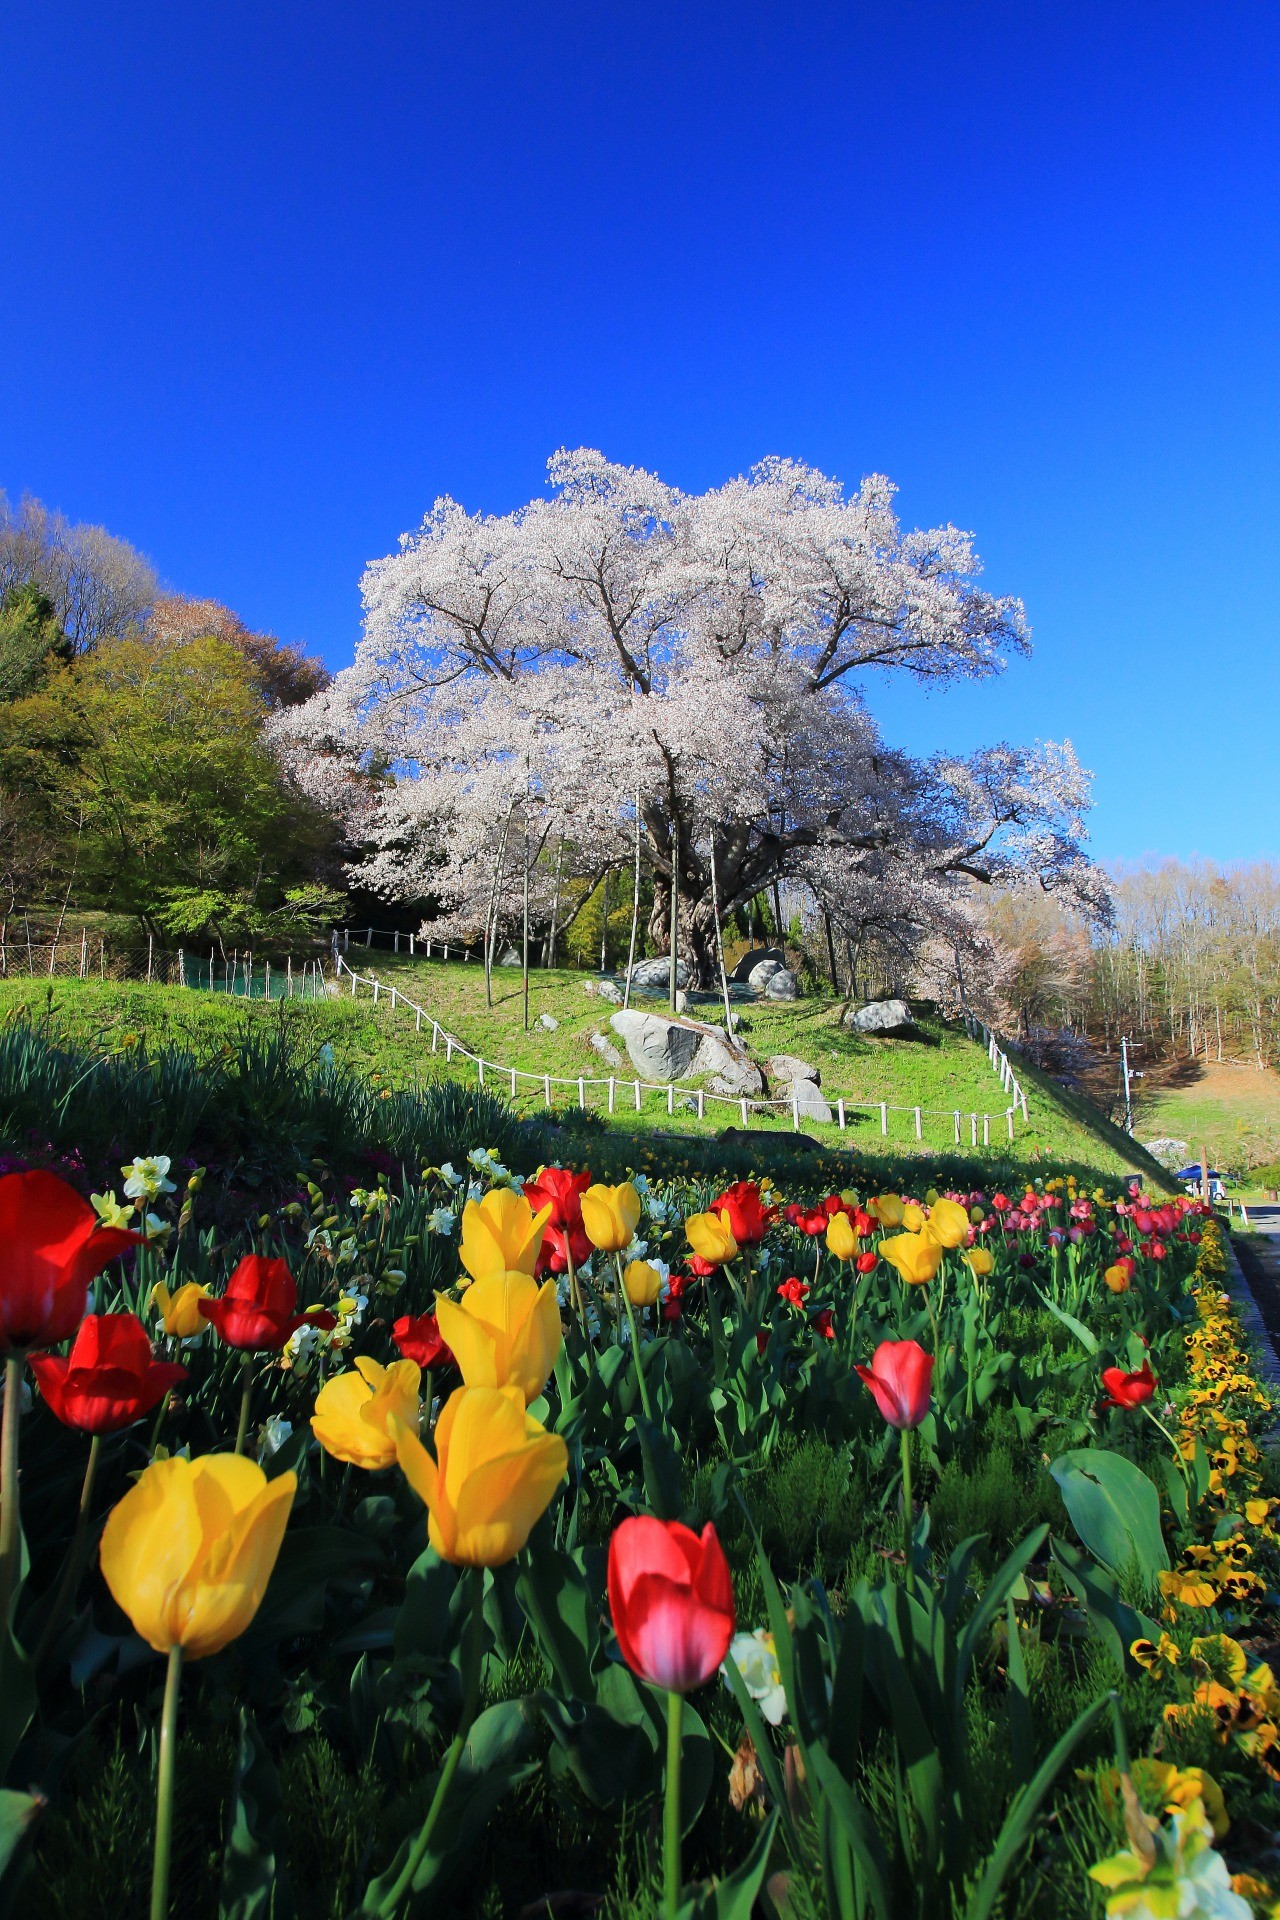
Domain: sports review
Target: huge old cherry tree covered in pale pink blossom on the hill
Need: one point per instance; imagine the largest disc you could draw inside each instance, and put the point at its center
(534, 681)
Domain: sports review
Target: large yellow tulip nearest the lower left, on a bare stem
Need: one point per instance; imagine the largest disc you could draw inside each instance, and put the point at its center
(191, 1547)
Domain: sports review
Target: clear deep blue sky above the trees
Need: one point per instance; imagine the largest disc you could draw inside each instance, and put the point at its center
(272, 277)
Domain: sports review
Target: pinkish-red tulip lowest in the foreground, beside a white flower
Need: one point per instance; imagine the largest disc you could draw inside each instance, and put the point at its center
(673, 1602)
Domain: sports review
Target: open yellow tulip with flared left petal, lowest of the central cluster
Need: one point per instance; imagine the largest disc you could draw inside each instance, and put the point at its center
(492, 1479)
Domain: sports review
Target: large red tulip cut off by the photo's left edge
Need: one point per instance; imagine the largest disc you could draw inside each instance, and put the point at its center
(51, 1249)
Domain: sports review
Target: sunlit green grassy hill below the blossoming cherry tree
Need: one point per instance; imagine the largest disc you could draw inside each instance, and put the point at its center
(943, 1072)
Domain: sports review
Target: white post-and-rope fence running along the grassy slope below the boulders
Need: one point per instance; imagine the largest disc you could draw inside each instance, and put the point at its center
(696, 1097)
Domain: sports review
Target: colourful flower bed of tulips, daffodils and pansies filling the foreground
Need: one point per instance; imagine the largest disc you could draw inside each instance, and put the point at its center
(477, 1545)
